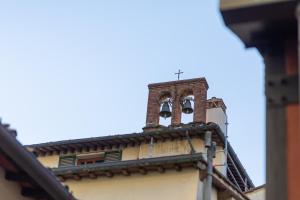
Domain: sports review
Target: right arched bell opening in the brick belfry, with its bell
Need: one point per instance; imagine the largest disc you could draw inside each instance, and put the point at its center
(187, 109)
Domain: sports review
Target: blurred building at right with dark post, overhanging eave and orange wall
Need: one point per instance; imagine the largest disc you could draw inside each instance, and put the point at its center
(277, 38)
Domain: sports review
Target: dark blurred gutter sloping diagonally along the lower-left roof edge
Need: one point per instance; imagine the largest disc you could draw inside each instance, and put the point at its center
(41, 175)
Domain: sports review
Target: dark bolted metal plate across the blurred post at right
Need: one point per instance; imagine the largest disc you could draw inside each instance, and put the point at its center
(282, 90)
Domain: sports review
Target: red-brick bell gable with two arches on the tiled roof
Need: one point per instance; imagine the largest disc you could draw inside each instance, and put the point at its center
(175, 93)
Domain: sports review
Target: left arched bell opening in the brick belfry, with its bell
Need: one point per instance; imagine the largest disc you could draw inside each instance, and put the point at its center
(165, 111)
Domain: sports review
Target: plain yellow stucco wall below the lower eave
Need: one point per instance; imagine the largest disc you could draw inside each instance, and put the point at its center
(171, 185)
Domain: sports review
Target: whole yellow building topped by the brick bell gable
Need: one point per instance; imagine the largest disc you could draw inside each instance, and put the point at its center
(169, 163)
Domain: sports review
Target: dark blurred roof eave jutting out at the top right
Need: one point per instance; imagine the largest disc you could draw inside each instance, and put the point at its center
(257, 24)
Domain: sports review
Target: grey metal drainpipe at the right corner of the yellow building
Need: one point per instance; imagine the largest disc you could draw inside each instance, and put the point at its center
(207, 190)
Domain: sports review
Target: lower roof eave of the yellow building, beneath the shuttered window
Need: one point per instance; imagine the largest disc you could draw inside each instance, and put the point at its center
(143, 166)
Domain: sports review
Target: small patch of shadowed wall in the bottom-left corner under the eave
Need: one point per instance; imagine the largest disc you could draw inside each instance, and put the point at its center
(9, 190)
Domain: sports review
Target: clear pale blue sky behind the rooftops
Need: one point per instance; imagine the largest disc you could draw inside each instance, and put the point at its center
(73, 69)
